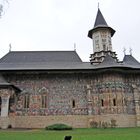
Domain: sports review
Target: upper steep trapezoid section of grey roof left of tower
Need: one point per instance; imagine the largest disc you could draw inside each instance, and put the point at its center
(40, 56)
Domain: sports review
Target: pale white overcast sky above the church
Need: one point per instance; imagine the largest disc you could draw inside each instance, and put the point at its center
(45, 25)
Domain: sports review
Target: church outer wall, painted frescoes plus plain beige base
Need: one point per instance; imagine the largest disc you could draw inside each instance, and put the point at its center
(74, 99)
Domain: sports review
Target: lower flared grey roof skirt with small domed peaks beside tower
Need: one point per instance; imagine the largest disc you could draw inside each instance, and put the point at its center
(108, 62)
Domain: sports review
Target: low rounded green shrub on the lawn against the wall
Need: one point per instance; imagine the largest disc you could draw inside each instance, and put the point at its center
(58, 127)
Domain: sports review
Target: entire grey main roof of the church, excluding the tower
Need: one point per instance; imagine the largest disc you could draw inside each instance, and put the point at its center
(11, 62)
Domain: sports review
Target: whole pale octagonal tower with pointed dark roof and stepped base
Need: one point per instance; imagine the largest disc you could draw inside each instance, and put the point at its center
(101, 36)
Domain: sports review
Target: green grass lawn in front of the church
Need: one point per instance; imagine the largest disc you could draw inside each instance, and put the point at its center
(77, 134)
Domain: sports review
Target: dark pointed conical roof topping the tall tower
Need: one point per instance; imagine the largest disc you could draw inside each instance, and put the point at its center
(100, 23)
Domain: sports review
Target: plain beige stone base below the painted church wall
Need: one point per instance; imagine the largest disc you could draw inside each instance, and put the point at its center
(76, 121)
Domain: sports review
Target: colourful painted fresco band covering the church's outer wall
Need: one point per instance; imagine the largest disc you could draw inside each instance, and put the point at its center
(67, 94)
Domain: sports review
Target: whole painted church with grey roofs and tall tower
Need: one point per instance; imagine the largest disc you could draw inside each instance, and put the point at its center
(41, 88)
